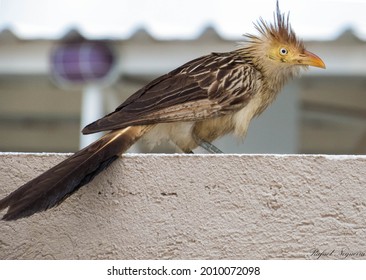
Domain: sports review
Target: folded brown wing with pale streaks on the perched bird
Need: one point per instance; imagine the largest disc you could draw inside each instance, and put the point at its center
(206, 87)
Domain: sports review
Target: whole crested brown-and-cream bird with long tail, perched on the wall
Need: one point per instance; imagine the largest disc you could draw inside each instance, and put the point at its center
(191, 106)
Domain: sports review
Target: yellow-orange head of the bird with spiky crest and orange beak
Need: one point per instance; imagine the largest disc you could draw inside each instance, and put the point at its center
(277, 48)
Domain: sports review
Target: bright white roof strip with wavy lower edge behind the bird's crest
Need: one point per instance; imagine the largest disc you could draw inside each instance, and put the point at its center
(177, 19)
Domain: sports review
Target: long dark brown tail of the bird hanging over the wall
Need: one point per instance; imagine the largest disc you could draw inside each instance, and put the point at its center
(53, 186)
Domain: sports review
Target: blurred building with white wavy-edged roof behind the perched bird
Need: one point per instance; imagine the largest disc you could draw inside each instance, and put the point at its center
(324, 111)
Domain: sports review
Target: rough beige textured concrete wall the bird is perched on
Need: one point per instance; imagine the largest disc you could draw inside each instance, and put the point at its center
(197, 207)
